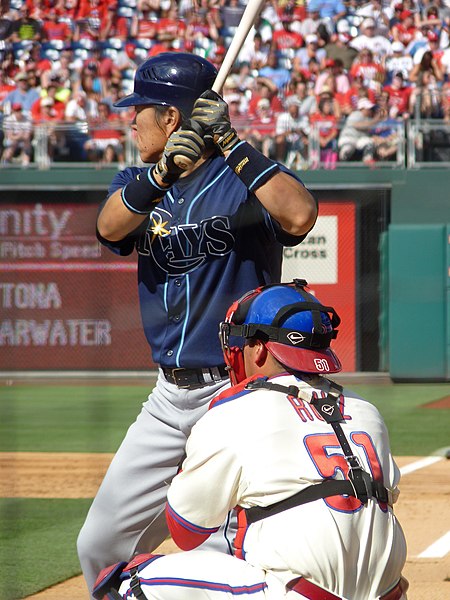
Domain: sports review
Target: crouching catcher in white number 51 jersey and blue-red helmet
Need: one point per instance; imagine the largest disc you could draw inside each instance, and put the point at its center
(306, 462)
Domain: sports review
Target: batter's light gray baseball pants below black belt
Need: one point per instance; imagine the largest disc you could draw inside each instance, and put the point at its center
(127, 514)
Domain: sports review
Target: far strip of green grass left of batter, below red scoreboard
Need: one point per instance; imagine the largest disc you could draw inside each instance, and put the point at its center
(57, 418)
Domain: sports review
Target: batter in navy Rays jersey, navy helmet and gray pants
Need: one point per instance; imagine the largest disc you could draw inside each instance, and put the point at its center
(202, 236)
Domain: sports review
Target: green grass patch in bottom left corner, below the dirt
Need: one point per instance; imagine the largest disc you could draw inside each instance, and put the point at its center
(37, 543)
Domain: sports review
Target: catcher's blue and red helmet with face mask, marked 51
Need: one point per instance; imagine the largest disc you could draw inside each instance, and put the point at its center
(293, 325)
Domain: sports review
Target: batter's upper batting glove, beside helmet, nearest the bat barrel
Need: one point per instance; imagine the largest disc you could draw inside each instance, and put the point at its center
(211, 113)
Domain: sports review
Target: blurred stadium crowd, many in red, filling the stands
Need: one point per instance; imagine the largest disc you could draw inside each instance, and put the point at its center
(331, 77)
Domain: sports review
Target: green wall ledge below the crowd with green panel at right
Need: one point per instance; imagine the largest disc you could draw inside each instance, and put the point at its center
(420, 200)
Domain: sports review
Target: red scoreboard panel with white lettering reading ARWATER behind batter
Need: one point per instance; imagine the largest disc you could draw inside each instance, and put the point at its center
(66, 302)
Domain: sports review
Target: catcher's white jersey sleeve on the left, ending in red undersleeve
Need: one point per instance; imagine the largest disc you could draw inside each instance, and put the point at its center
(202, 494)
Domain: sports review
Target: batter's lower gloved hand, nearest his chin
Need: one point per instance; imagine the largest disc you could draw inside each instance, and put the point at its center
(182, 143)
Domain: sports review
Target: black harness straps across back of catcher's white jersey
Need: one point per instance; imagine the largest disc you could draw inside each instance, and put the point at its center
(359, 483)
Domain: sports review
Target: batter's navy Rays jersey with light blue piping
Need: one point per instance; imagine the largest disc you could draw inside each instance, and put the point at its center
(205, 243)
